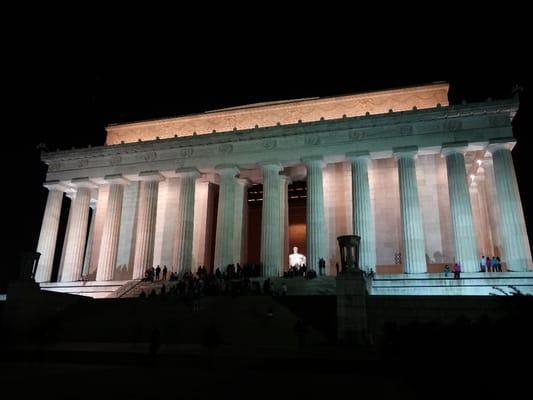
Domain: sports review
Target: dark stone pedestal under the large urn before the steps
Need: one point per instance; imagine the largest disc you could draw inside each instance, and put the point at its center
(351, 308)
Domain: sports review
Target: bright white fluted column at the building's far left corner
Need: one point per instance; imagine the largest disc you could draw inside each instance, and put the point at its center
(49, 228)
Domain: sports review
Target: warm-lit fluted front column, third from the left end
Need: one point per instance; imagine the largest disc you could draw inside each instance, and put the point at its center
(107, 258)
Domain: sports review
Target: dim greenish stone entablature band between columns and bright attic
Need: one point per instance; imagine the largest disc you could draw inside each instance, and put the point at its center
(268, 139)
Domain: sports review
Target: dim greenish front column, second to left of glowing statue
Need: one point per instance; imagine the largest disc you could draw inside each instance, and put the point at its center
(225, 217)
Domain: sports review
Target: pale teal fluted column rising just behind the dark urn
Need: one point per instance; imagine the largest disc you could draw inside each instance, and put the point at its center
(363, 223)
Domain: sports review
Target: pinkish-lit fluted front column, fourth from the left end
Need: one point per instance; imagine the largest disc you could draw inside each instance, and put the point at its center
(145, 233)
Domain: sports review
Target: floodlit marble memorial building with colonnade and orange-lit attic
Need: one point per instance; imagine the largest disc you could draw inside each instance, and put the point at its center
(422, 182)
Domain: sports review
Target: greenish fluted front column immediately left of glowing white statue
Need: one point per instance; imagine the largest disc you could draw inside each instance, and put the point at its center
(270, 220)
